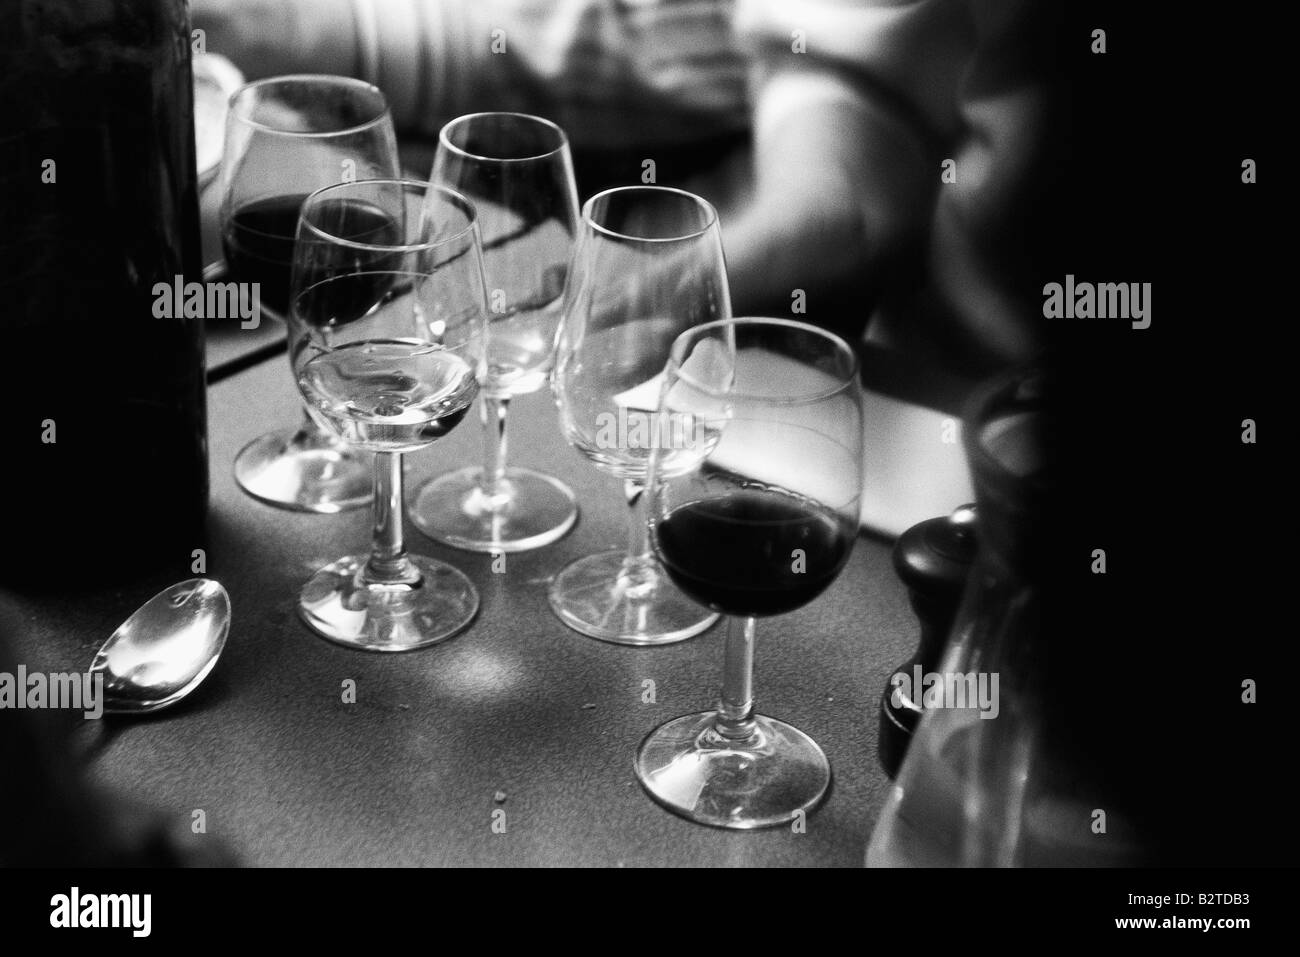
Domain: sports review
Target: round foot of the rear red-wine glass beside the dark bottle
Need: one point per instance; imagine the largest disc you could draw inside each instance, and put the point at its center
(292, 469)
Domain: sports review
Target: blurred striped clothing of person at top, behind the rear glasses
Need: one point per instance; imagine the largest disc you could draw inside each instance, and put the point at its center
(617, 75)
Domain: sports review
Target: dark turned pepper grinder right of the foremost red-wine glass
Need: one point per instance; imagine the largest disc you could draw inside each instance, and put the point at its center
(934, 560)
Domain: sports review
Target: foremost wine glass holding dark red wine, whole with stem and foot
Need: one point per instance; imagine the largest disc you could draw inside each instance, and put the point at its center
(759, 523)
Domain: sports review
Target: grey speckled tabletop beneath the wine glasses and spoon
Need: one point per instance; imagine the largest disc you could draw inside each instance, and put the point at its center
(517, 707)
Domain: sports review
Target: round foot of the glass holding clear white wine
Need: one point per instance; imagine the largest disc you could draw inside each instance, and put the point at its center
(337, 605)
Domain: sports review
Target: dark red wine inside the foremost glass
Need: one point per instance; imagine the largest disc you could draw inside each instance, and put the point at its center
(753, 552)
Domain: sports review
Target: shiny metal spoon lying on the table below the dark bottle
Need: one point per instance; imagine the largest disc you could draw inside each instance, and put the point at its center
(166, 649)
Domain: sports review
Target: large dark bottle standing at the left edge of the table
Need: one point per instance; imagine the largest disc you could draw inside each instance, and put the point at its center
(105, 434)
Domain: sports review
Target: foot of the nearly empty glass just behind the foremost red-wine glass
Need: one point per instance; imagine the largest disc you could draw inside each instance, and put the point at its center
(601, 597)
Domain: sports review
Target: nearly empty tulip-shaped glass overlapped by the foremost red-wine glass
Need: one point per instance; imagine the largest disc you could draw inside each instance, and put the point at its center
(648, 265)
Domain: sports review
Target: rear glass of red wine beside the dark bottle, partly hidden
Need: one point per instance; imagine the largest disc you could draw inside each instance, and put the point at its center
(285, 138)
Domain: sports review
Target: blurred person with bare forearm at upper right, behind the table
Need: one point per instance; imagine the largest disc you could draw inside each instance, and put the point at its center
(857, 107)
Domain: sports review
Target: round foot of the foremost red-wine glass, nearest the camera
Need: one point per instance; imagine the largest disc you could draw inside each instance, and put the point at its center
(764, 781)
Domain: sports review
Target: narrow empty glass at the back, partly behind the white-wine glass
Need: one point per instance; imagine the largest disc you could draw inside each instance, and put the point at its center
(518, 172)
